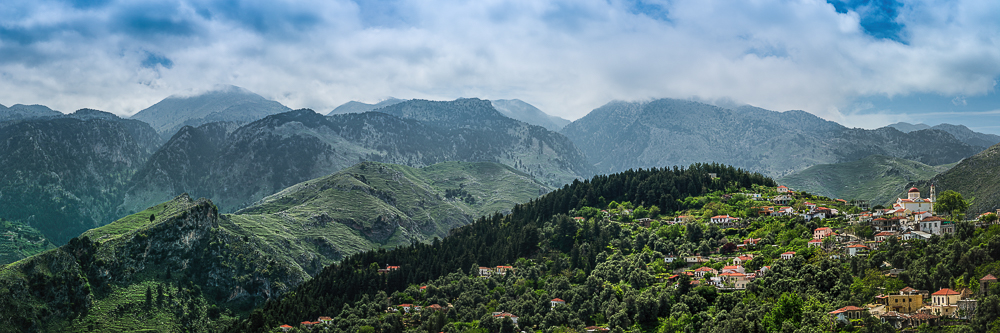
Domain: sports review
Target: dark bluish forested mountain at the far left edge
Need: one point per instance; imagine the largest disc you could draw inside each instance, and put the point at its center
(65, 174)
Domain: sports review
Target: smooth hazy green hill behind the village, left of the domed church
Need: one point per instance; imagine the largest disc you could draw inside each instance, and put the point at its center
(877, 178)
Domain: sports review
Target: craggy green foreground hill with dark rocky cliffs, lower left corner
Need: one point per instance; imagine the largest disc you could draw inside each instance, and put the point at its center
(196, 268)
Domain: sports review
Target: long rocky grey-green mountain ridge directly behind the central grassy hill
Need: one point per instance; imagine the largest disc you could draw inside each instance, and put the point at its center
(268, 155)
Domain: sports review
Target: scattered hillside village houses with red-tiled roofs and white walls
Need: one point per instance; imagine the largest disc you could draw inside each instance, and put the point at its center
(728, 268)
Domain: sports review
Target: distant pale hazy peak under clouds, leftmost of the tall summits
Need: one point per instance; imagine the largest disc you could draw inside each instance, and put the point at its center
(228, 103)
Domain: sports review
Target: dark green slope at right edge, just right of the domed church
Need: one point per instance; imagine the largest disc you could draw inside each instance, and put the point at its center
(975, 178)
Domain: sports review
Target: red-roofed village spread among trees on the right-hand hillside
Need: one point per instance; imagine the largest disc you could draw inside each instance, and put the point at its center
(753, 243)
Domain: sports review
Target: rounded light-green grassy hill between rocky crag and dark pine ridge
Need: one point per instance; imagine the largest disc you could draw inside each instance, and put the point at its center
(377, 205)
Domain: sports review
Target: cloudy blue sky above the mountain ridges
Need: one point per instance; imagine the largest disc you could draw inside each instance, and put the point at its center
(860, 63)
